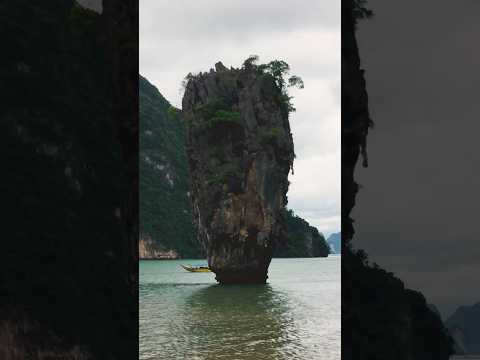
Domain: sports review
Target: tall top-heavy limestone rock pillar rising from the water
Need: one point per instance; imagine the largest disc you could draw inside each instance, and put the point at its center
(240, 152)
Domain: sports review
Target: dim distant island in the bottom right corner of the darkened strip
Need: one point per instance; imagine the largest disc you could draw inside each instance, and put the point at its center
(464, 327)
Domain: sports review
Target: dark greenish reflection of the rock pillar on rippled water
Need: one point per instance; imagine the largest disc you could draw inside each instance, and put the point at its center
(238, 322)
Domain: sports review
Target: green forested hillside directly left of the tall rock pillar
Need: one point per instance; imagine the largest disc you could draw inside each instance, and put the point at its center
(165, 210)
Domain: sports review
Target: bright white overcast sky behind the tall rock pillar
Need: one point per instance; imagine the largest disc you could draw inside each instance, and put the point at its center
(182, 36)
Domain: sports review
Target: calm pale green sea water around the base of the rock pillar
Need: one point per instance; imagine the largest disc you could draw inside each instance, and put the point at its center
(188, 316)
